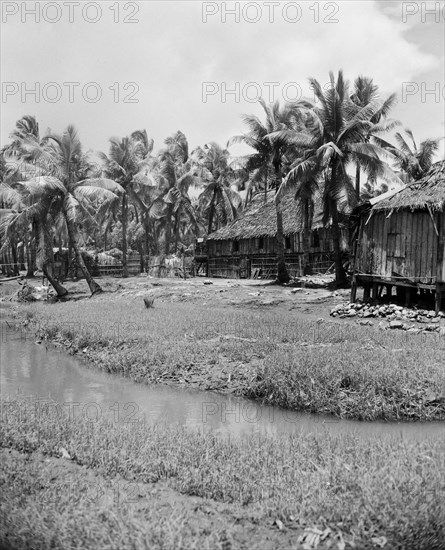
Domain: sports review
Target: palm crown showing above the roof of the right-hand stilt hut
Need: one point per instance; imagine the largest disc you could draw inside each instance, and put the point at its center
(413, 161)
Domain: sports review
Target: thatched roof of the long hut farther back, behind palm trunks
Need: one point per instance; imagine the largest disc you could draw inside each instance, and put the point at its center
(260, 219)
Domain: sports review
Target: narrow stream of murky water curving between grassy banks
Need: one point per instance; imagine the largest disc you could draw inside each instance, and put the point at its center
(45, 374)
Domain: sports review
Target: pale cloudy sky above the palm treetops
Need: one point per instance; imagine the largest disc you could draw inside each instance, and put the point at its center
(165, 66)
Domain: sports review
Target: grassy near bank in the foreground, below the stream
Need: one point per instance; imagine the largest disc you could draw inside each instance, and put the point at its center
(168, 487)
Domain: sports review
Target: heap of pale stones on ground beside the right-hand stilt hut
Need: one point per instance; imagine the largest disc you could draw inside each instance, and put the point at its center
(398, 317)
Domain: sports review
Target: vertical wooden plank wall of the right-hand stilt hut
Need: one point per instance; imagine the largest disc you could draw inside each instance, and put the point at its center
(401, 245)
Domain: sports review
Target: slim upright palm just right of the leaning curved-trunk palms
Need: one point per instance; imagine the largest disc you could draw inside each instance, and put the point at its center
(127, 164)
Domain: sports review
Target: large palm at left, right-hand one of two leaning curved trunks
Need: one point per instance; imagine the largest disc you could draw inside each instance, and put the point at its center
(68, 182)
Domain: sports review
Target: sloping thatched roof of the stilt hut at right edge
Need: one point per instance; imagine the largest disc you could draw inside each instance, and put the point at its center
(429, 192)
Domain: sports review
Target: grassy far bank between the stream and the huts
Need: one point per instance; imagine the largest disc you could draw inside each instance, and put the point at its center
(282, 359)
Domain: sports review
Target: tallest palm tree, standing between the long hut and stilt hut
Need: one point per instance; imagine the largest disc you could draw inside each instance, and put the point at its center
(334, 138)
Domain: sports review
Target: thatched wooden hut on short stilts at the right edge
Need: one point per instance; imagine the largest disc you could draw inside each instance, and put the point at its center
(402, 238)
